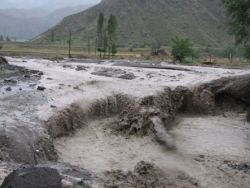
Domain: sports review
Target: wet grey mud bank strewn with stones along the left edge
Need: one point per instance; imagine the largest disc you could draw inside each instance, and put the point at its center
(23, 135)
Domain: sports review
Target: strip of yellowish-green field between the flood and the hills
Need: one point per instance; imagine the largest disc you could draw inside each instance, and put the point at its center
(62, 51)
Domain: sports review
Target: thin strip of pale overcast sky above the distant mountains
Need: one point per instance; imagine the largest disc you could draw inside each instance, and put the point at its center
(40, 3)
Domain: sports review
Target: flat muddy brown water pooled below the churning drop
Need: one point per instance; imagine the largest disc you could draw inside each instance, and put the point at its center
(98, 148)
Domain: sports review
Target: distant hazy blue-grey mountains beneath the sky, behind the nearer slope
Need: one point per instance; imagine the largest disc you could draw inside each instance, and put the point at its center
(28, 23)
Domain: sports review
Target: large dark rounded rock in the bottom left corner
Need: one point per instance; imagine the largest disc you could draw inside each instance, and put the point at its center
(33, 178)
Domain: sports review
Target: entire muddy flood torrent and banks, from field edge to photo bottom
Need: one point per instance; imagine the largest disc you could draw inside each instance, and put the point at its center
(109, 124)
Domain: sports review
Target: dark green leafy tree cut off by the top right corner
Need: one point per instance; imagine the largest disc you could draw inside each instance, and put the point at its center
(238, 24)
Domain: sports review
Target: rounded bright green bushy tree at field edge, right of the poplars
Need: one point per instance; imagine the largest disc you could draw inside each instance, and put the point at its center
(182, 48)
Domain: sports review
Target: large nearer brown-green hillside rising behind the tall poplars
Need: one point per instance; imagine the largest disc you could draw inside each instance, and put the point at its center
(144, 21)
